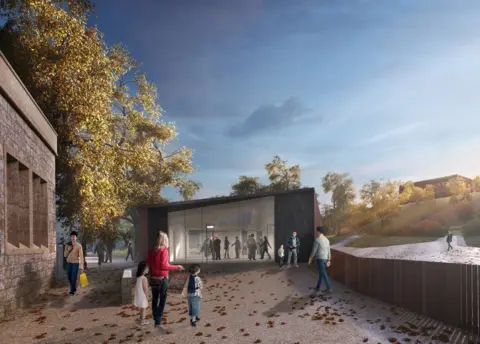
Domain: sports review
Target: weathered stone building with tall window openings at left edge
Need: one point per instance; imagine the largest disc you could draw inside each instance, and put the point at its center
(28, 146)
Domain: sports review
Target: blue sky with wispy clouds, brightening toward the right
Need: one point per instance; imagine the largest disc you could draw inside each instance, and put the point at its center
(379, 89)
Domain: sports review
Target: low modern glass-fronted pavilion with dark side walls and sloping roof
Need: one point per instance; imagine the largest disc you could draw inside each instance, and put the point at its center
(191, 225)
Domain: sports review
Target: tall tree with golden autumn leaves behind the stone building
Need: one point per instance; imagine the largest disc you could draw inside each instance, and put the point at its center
(113, 143)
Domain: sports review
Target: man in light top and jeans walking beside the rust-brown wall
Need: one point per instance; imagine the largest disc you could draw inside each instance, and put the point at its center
(322, 255)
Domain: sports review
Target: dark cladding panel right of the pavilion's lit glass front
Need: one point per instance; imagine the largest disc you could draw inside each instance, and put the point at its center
(294, 212)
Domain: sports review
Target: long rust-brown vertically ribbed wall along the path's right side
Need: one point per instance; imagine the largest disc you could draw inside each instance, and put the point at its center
(443, 291)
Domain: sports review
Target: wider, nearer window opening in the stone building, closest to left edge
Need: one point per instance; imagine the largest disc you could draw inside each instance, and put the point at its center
(18, 203)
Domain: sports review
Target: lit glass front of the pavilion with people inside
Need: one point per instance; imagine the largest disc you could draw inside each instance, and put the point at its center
(196, 235)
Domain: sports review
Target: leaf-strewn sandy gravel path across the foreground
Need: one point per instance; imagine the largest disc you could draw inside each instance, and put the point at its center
(266, 305)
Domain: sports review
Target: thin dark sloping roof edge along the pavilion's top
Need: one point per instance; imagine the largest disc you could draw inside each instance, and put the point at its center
(205, 202)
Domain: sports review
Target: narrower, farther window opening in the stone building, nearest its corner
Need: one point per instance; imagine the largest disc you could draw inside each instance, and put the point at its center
(40, 211)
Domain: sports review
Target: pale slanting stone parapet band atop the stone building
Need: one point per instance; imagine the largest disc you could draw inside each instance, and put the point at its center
(15, 92)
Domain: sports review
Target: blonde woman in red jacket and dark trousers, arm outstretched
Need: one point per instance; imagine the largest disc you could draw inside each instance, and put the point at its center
(159, 266)
